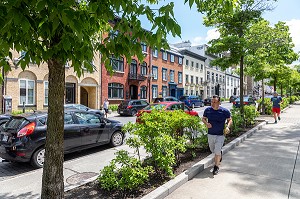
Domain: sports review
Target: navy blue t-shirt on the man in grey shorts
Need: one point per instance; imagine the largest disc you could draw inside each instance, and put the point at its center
(217, 119)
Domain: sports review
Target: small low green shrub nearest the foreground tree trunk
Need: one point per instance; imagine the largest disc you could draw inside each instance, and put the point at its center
(124, 173)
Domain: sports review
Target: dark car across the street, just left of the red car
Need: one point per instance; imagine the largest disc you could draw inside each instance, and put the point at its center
(131, 107)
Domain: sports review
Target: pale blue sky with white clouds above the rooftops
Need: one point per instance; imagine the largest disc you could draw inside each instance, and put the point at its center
(192, 27)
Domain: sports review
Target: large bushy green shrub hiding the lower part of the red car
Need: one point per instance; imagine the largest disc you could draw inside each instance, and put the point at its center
(163, 134)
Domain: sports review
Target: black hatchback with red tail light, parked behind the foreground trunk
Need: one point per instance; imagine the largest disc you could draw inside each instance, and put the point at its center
(22, 138)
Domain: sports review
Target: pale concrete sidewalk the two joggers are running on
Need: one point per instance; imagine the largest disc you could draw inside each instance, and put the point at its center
(266, 165)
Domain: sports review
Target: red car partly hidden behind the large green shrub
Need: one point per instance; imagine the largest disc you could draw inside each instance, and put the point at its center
(168, 106)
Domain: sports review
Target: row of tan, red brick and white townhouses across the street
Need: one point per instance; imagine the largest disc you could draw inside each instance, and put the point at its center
(174, 72)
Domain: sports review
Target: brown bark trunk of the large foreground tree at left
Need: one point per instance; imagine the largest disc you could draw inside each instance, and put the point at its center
(53, 180)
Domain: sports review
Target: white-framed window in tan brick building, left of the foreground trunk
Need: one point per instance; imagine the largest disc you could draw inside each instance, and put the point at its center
(27, 91)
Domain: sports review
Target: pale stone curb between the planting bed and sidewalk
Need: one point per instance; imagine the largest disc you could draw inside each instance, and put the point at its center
(170, 186)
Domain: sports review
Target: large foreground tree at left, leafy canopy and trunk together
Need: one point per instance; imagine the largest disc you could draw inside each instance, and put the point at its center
(54, 32)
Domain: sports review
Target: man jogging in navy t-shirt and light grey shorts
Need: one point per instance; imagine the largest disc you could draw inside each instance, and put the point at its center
(218, 121)
